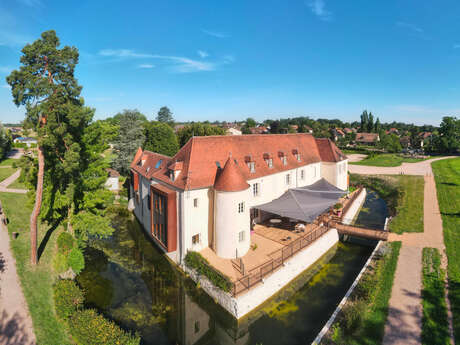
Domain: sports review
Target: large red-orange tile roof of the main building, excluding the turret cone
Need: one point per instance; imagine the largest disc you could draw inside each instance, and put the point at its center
(201, 157)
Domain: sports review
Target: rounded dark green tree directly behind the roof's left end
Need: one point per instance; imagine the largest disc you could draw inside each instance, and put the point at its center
(160, 138)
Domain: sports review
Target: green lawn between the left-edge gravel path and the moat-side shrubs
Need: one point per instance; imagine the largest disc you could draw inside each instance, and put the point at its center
(36, 281)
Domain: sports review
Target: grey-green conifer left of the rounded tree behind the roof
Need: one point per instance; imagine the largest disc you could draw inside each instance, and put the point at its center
(130, 138)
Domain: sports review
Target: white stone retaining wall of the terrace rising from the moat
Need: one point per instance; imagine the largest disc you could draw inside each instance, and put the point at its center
(273, 283)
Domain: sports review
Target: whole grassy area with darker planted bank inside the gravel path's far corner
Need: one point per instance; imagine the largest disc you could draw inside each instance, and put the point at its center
(404, 195)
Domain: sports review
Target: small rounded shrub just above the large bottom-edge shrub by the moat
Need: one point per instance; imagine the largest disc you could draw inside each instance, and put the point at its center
(68, 297)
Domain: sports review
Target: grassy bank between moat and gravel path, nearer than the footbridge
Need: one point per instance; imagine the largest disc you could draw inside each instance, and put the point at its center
(362, 320)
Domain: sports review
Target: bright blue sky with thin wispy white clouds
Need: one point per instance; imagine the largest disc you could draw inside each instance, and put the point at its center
(227, 60)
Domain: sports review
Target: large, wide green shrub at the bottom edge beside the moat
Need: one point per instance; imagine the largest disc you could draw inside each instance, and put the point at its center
(90, 328)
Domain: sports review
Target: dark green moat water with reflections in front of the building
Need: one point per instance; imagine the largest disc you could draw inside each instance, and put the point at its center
(128, 280)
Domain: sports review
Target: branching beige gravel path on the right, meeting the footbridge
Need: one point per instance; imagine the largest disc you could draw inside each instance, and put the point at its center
(404, 322)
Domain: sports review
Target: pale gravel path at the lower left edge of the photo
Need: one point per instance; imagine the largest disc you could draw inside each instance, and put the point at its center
(16, 326)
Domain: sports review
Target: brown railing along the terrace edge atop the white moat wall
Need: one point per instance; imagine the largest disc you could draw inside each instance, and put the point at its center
(278, 257)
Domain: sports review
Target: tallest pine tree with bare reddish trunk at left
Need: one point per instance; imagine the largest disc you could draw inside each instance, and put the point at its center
(46, 86)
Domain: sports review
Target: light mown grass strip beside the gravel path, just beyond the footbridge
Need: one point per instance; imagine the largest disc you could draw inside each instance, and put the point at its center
(409, 209)
